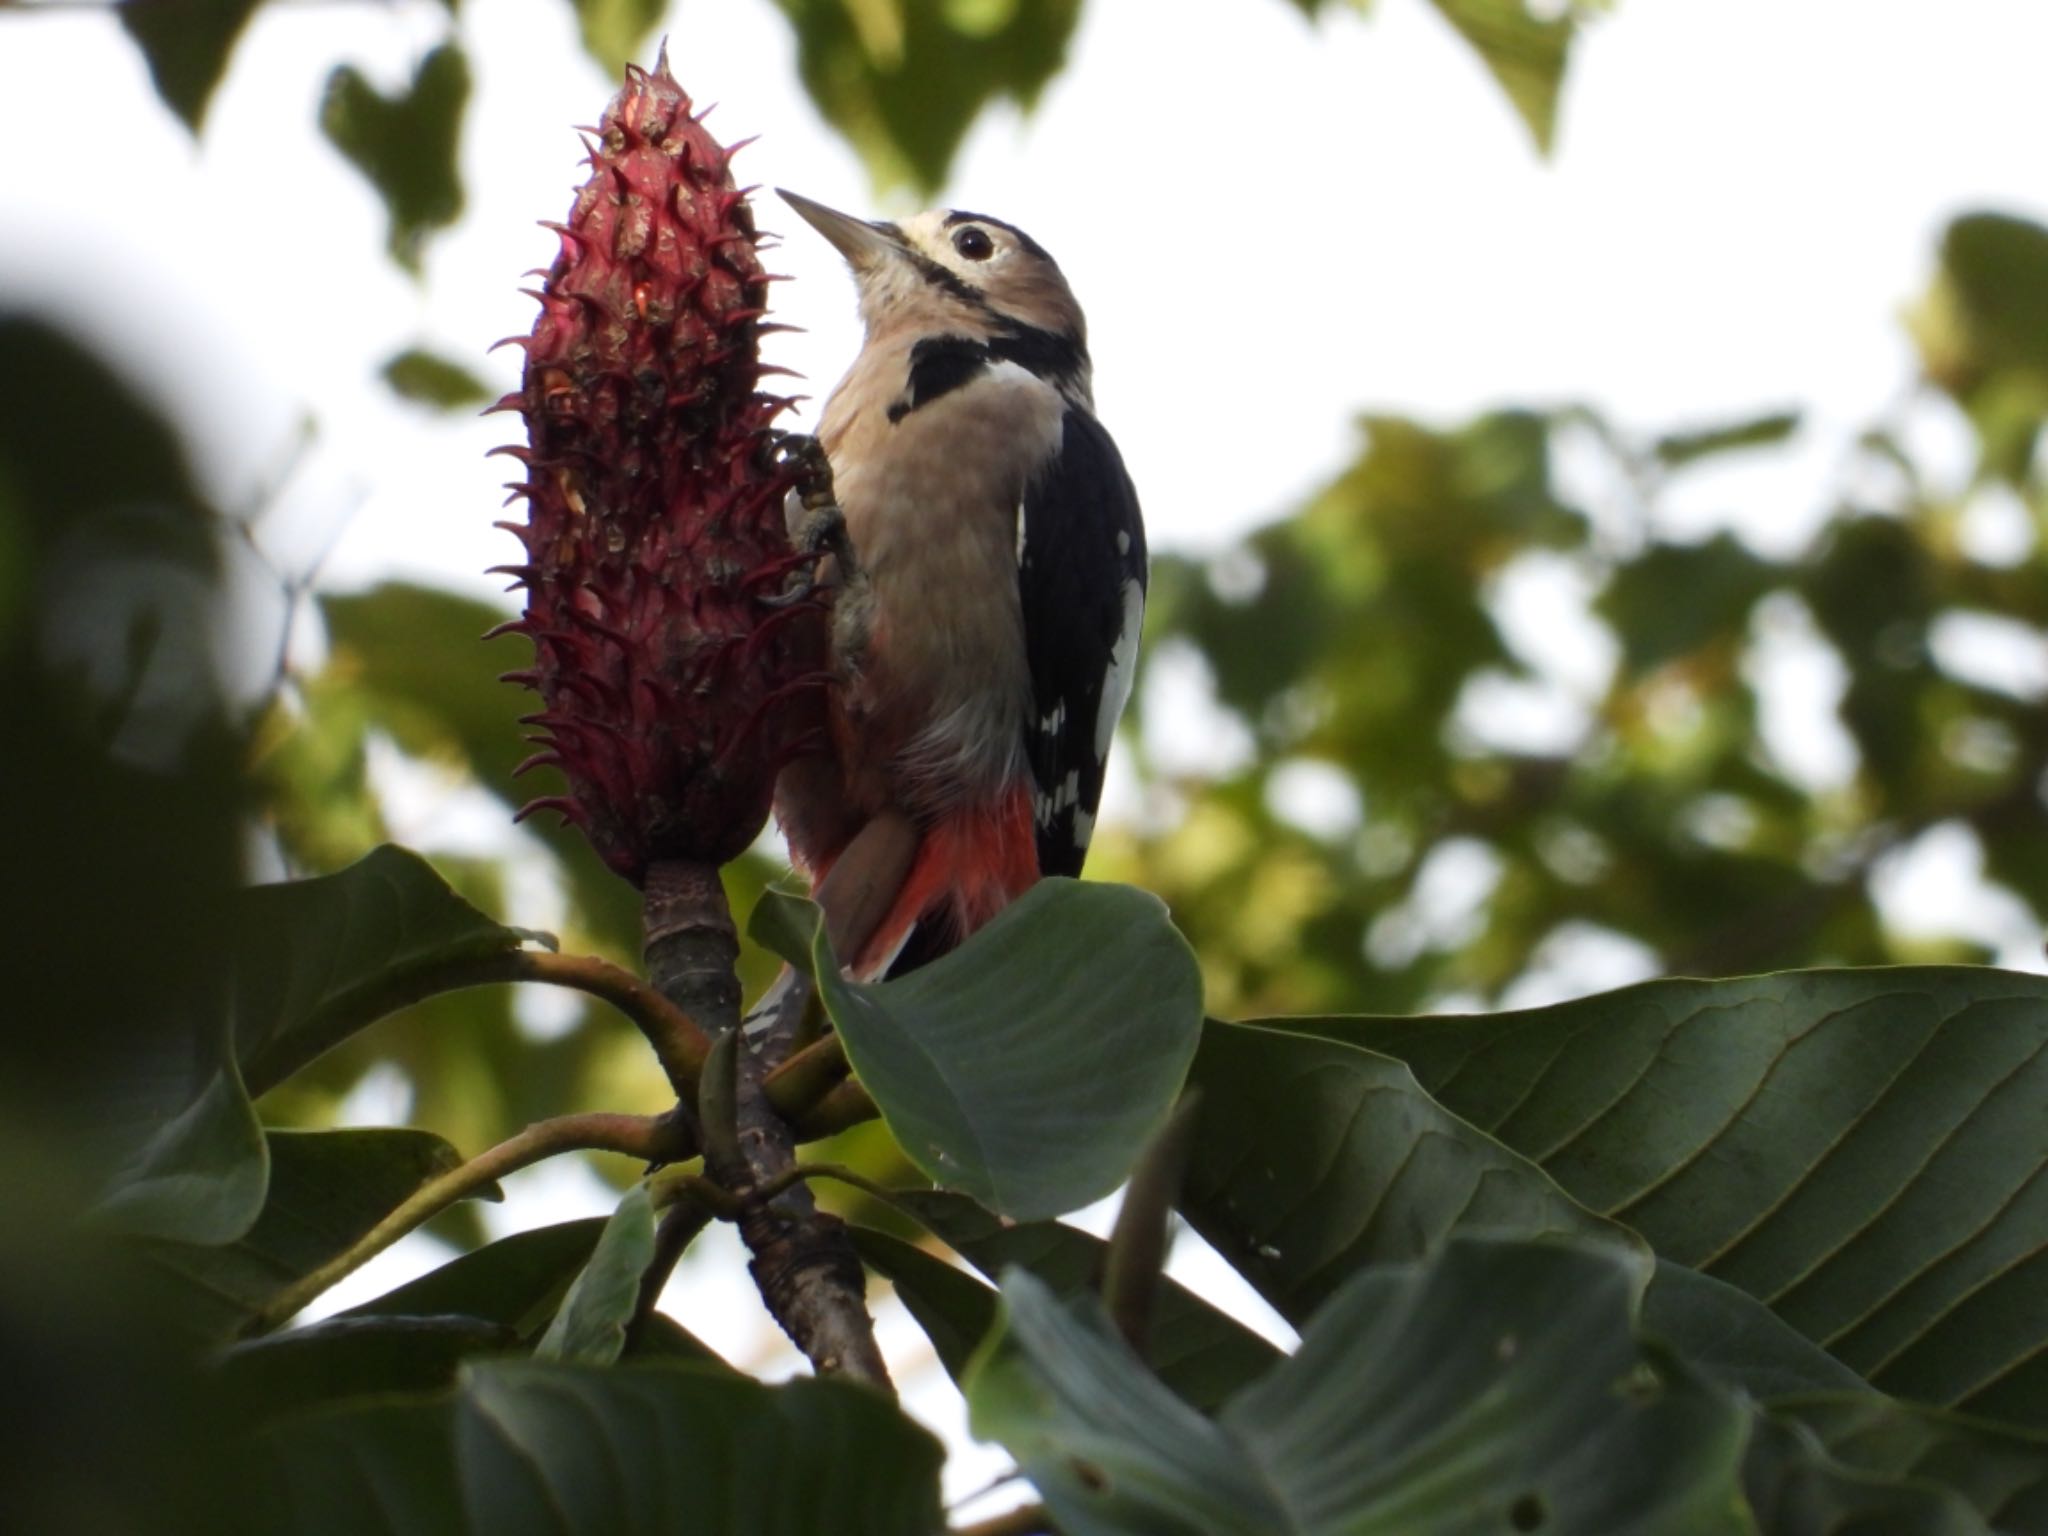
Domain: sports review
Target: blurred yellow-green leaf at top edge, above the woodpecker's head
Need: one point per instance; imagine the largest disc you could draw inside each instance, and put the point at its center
(906, 79)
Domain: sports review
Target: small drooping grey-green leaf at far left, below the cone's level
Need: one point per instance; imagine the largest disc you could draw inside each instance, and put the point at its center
(200, 1179)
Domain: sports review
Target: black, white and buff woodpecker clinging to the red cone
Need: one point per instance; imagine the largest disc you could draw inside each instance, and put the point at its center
(986, 648)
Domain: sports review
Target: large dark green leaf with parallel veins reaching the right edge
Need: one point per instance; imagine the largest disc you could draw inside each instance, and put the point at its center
(1863, 1150)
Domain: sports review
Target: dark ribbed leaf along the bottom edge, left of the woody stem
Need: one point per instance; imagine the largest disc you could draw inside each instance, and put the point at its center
(572, 1451)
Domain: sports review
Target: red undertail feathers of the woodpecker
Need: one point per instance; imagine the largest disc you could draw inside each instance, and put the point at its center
(972, 865)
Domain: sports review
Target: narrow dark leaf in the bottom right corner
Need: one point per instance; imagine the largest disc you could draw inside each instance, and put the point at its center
(2002, 1471)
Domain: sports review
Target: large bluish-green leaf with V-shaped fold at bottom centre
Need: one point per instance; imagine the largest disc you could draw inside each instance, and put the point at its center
(1398, 1414)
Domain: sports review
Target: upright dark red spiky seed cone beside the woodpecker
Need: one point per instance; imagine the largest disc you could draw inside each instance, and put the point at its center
(654, 519)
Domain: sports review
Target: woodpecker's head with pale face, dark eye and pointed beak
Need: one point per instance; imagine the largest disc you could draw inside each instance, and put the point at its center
(951, 271)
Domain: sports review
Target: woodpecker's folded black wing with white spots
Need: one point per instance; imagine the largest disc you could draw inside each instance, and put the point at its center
(1082, 581)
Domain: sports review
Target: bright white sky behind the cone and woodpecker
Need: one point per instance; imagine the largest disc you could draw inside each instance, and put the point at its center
(1273, 226)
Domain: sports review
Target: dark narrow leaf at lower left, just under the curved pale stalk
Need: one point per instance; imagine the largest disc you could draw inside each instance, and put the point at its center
(353, 1357)
